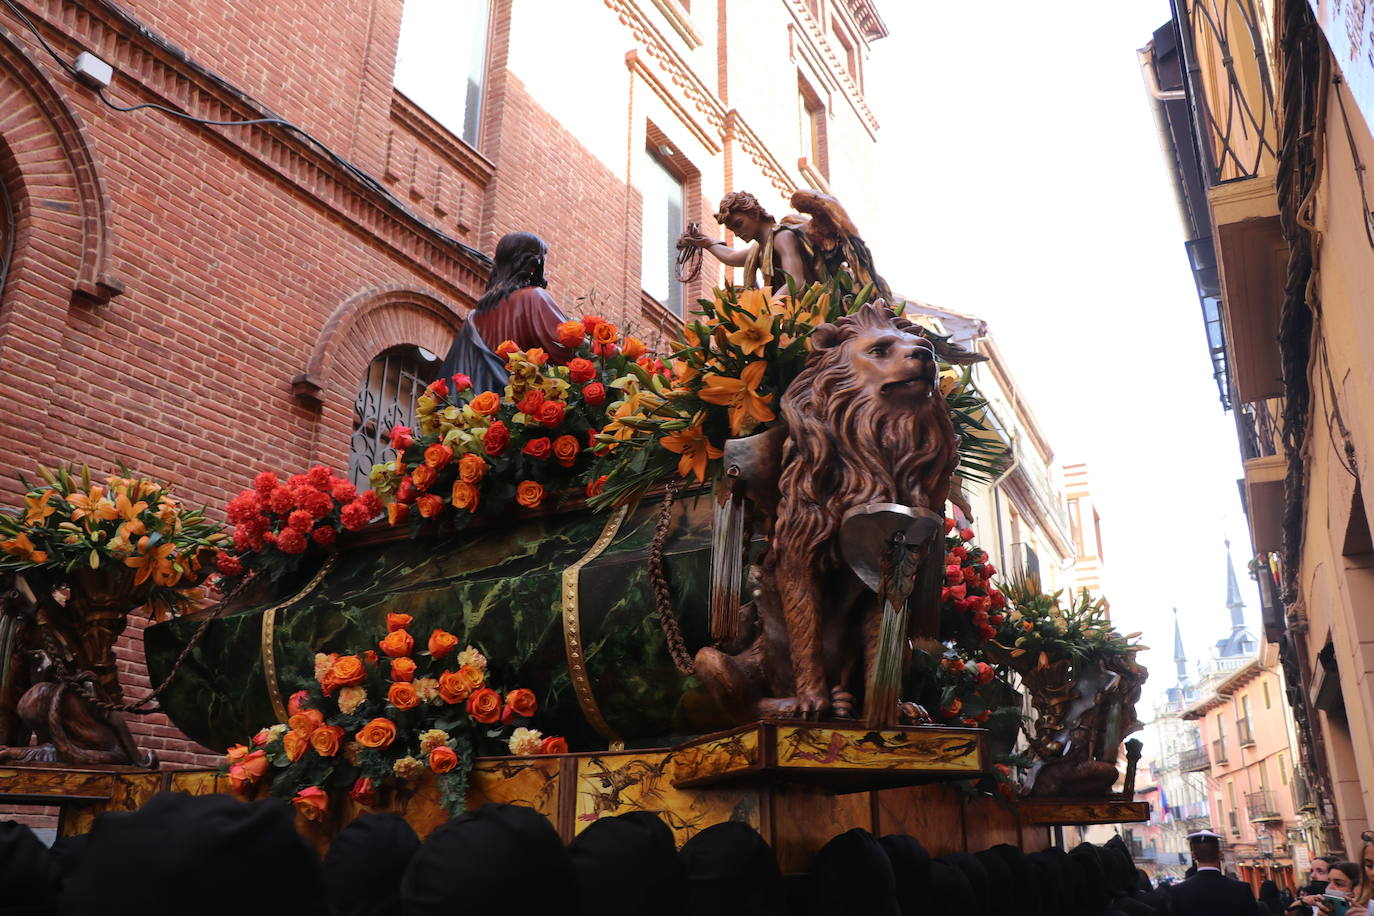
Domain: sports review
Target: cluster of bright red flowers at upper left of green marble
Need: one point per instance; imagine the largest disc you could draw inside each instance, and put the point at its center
(277, 521)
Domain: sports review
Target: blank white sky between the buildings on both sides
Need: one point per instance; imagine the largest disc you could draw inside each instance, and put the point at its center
(1028, 189)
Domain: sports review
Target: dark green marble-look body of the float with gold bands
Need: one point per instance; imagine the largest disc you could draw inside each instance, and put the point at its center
(497, 590)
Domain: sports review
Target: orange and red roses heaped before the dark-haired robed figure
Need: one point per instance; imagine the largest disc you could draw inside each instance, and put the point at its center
(486, 453)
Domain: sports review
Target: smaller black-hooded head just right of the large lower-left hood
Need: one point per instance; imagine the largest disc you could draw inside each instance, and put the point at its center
(366, 863)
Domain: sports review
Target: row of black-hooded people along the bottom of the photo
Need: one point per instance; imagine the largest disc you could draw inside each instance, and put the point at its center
(215, 855)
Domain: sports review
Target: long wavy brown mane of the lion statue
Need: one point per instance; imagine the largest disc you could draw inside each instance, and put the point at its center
(847, 448)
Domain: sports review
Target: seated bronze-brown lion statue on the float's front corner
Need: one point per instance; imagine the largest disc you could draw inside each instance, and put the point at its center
(865, 424)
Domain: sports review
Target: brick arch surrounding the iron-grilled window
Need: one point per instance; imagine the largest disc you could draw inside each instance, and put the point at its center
(361, 329)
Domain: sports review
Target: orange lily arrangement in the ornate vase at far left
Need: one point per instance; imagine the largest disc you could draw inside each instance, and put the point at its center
(130, 529)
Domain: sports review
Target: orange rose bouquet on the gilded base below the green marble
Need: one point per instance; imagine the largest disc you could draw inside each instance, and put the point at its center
(385, 716)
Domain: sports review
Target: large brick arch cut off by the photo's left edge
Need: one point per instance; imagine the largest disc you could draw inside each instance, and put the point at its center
(54, 179)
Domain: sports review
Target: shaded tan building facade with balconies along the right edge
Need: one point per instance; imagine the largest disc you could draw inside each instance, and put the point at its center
(1265, 113)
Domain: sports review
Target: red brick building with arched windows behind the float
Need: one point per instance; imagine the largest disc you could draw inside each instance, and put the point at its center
(204, 301)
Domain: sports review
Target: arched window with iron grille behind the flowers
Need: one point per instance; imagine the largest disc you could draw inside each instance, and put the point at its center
(387, 399)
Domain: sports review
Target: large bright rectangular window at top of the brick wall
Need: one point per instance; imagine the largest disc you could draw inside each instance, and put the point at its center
(442, 60)
